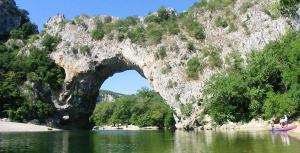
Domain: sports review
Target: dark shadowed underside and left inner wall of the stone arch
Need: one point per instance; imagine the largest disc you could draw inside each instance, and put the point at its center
(81, 93)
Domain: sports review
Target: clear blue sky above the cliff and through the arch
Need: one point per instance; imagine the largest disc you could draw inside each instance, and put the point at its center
(127, 82)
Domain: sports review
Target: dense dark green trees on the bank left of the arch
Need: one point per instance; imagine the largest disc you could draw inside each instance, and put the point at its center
(17, 98)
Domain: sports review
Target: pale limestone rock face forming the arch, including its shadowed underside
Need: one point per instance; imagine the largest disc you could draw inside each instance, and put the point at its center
(86, 71)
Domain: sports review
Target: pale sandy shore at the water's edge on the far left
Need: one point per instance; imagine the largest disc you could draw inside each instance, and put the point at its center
(23, 127)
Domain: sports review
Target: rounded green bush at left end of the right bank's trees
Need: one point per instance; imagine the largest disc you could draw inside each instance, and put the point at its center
(224, 98)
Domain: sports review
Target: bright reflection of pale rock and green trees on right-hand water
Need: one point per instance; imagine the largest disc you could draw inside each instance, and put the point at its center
(233, 142)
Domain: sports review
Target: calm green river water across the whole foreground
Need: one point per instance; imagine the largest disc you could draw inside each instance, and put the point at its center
(147, 142)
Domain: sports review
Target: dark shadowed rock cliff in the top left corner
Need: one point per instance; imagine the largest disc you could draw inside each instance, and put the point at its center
(10, 17)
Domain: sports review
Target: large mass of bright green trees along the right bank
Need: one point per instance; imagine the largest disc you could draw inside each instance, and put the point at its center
(268, 85)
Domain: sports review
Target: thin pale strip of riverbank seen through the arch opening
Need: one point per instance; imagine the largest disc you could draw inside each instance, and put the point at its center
(125, 127)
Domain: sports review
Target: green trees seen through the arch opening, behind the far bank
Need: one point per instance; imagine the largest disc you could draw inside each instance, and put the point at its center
(146, 108)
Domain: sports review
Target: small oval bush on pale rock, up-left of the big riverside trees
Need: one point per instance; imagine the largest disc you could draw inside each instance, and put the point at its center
(194, 66)
